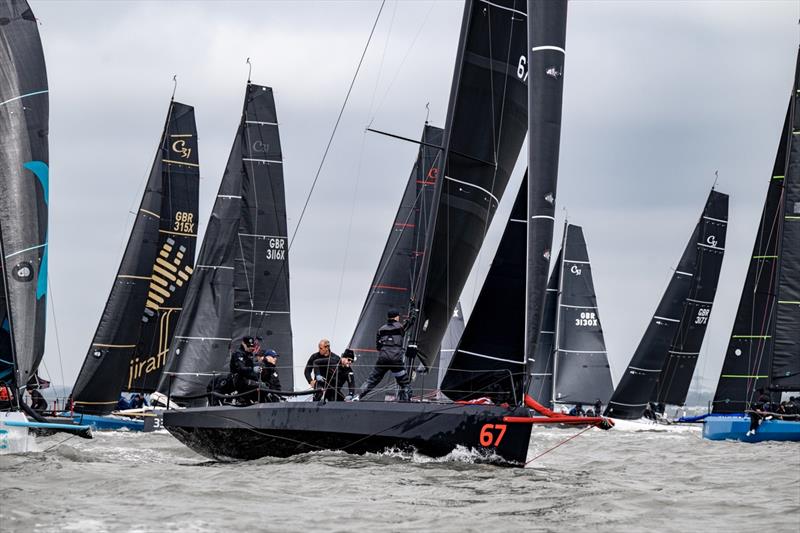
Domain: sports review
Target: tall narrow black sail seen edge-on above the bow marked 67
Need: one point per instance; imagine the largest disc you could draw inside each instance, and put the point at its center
(547, 25)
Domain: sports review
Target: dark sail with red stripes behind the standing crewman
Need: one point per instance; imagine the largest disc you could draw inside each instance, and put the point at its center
(399, 267)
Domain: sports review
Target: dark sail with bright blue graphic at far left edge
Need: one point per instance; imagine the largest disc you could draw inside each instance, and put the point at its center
(24, 183)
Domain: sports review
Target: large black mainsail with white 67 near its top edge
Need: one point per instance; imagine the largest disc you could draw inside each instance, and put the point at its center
(484, 131)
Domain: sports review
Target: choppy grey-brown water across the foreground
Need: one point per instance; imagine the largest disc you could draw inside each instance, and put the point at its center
(610, 481)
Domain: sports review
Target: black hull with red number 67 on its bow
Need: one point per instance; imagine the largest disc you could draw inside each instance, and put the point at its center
(291, 428)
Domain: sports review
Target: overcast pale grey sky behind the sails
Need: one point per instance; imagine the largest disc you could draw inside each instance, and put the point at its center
(657, 96)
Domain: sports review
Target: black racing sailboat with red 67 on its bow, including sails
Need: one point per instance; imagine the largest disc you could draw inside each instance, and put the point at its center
(487, 104)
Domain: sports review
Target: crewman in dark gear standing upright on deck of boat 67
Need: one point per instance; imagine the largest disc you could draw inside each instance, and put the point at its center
(391, 352)
